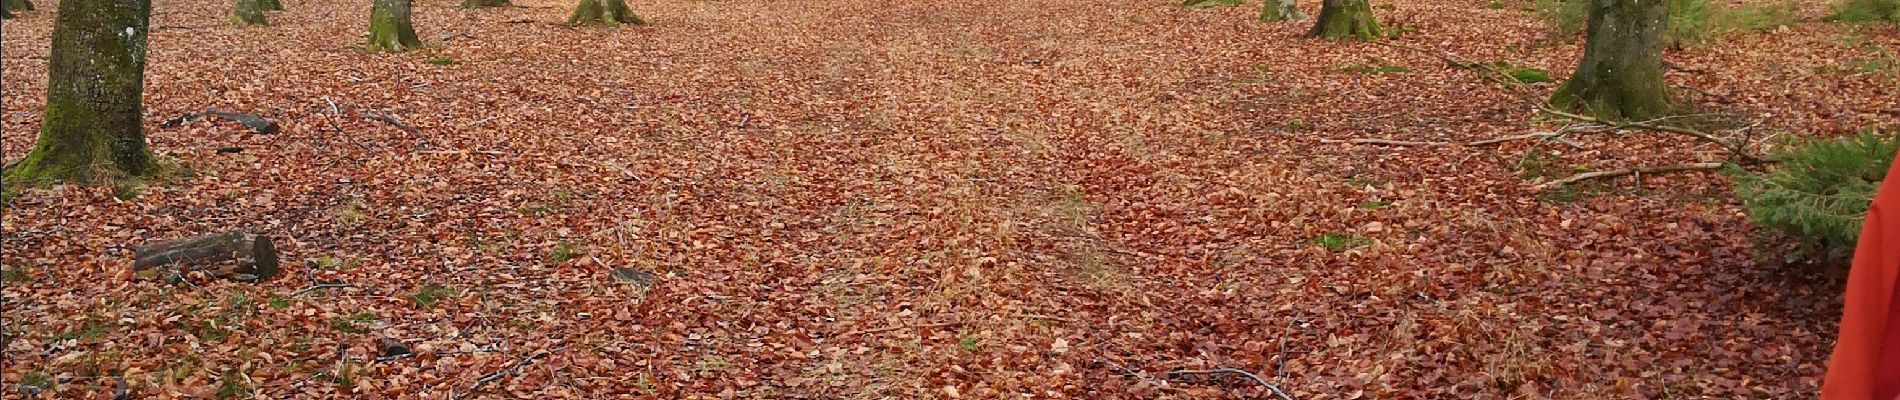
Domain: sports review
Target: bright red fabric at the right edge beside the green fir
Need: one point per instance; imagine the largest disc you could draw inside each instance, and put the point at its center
(1867, 357)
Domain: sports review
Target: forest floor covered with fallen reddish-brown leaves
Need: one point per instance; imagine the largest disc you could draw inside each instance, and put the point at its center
(919, 200)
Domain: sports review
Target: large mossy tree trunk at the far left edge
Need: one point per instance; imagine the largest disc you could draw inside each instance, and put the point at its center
(96, 73)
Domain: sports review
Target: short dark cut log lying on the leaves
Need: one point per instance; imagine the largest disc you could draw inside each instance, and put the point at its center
(233, 255)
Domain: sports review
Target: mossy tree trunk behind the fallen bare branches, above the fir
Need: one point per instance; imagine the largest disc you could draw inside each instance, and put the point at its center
(1622, 69)
